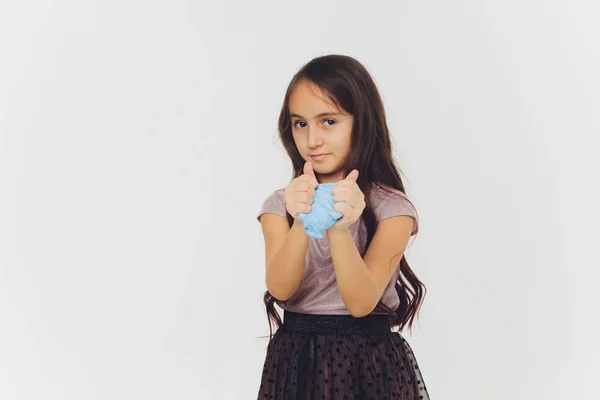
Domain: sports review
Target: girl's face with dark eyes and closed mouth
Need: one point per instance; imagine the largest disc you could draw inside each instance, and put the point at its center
(321, 131)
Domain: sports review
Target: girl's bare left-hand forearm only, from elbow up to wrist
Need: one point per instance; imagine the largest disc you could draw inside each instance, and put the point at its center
(286, 268)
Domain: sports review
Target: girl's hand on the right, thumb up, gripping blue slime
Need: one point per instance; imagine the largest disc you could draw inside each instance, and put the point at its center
(348, 191)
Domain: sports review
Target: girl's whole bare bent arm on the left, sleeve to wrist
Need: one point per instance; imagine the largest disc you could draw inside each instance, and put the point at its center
(285, 254)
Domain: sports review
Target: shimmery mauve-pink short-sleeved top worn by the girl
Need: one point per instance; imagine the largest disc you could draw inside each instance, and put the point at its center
(318, 292)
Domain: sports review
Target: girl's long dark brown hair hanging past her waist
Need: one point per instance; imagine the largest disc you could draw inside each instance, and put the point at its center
(350, 87)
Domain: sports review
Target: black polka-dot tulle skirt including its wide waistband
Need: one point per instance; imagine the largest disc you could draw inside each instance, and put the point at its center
(339, 357)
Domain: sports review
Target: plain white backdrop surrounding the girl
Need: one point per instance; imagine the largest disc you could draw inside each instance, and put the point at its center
(138, 142)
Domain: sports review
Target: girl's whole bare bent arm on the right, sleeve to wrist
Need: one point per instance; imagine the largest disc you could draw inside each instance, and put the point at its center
(361, 282)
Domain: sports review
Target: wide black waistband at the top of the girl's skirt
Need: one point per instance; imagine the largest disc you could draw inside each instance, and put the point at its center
(322, 324)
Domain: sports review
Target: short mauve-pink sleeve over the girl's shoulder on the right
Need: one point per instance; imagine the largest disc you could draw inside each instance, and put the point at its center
(389, 202)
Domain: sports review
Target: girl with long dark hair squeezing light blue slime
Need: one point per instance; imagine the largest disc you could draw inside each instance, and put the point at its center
(341, 295)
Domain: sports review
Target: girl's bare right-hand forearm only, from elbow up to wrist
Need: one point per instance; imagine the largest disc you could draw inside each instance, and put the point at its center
(355, 282)
